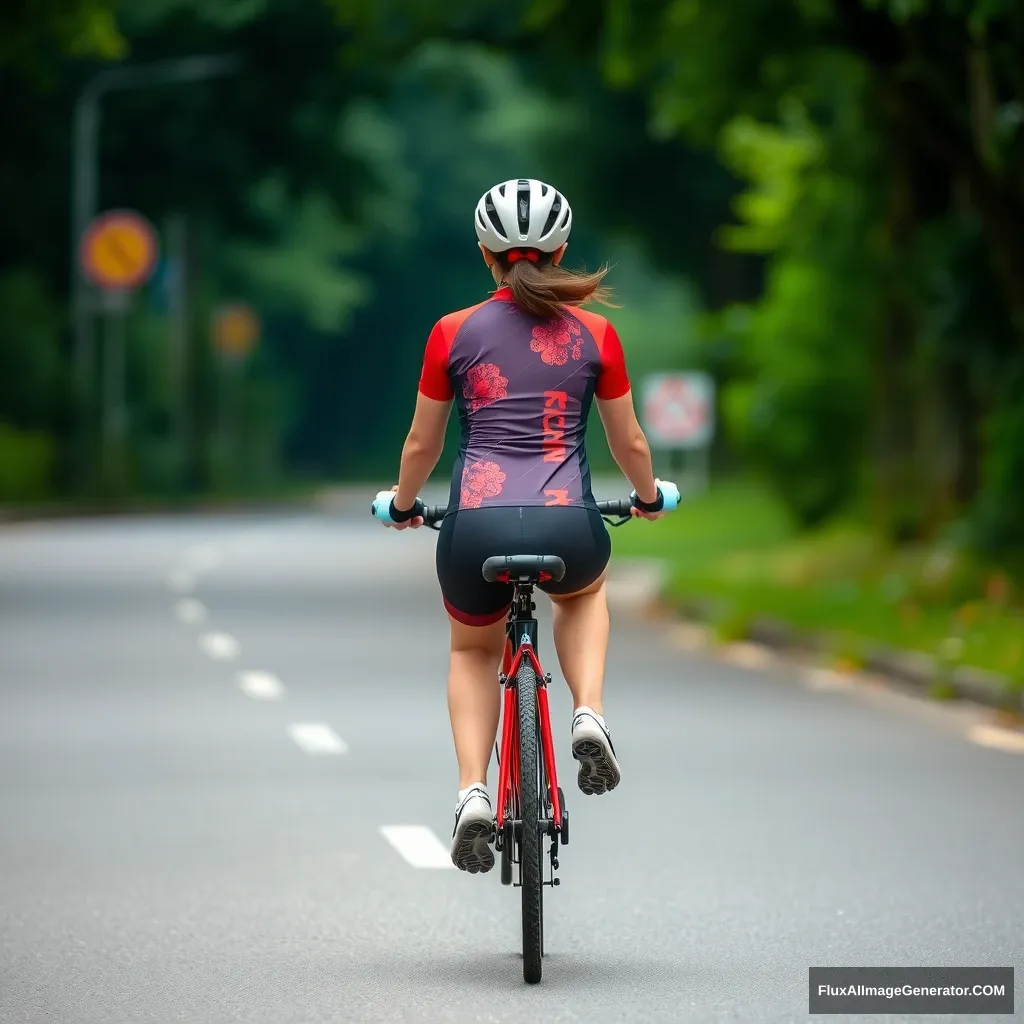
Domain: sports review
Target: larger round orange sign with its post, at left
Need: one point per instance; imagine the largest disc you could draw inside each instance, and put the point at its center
(118, 253)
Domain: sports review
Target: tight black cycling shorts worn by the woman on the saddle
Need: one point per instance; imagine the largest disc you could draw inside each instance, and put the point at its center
(575, 534)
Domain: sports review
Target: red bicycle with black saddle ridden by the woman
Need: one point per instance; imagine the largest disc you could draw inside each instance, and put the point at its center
(531, 805)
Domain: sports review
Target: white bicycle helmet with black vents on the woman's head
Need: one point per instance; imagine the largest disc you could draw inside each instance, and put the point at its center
(523, 215)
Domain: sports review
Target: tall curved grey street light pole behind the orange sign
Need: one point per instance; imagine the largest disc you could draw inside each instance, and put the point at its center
(86, 178)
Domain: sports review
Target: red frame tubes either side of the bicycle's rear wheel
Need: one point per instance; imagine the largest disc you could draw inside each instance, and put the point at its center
(508, 760)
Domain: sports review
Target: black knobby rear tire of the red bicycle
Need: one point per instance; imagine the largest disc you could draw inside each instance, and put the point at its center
(531, 852)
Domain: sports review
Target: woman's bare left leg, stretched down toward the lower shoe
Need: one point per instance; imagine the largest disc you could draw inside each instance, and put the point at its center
(475, 697)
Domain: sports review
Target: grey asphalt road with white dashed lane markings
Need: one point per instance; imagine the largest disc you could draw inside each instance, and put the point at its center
(209, 728)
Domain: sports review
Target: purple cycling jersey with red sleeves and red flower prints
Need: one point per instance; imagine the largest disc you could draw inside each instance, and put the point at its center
(524, 388)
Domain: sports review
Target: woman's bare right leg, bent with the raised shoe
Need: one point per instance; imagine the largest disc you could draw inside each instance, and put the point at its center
(581, 627)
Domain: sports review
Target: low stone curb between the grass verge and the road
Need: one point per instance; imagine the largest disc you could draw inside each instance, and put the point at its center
(912, 671)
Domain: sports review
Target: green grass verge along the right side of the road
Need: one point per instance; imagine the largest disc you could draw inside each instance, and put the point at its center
(736, 552)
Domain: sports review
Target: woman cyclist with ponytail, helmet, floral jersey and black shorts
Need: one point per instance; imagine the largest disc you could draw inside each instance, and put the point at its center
(524, 368)
